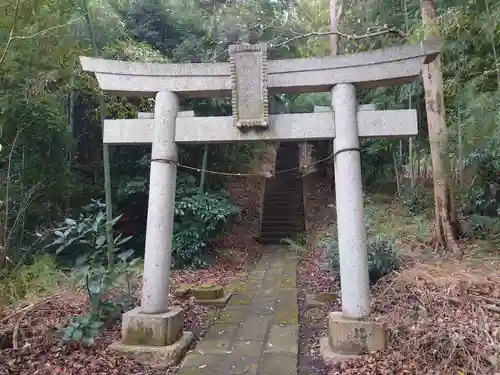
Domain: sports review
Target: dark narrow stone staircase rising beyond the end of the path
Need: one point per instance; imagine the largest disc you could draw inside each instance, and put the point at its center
(283, 207)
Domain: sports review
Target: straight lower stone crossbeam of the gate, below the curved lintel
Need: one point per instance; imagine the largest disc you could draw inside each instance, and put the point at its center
(283, 127)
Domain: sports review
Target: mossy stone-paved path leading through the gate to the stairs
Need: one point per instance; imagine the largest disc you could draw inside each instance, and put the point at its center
(257, 333)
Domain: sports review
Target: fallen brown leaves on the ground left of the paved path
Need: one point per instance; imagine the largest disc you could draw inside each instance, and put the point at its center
(41, 353)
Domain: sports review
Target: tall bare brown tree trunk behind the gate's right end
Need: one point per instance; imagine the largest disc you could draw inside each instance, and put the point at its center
(447, 228)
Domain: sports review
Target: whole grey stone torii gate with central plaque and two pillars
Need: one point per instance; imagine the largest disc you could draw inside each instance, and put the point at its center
(156, 328)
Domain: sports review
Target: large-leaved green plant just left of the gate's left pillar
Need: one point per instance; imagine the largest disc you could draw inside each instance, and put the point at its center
(93, 272)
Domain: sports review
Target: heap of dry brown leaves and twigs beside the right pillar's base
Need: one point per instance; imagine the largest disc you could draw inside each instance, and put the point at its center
(442, 319)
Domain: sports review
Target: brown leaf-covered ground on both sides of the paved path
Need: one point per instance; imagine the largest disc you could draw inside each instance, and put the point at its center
(442, 316)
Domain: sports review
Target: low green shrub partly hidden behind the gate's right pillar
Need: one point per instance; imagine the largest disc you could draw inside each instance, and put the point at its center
(383, 258)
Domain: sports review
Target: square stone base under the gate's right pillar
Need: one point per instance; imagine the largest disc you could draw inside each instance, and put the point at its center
(350, 337)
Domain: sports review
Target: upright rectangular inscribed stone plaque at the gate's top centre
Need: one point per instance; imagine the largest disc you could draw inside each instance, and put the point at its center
(249, 84)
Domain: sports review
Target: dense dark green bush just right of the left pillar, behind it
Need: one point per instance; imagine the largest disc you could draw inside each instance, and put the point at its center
(199, 218)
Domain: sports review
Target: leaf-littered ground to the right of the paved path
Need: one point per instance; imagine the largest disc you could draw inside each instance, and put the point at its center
(442, 316)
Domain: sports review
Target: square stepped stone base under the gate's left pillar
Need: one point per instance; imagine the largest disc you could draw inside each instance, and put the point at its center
(153, 339)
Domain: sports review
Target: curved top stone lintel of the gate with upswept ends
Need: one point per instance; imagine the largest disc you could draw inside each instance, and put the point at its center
(389, 66)
